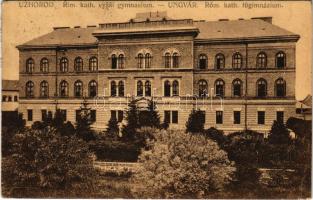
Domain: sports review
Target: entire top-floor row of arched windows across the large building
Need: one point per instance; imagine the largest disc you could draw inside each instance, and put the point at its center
(170, 61)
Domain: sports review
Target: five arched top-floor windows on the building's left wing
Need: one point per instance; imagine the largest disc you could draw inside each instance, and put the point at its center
(64, 63)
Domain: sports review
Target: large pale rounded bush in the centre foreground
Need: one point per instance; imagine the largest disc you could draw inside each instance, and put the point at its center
(181, 165)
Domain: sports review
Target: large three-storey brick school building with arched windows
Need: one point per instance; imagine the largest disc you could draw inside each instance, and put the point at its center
(240, 73)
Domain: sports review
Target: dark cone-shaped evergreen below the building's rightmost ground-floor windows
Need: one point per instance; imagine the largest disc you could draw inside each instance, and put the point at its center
(279, 134)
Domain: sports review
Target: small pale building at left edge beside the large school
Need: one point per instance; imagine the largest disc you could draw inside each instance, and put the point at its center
(10, 94)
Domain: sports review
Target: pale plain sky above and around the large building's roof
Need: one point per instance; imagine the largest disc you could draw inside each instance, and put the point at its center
(22, 22)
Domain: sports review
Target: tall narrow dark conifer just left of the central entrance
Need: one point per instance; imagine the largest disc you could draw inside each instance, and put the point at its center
(132, 120)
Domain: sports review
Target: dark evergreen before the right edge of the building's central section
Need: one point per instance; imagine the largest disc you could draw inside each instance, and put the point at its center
(195, 123)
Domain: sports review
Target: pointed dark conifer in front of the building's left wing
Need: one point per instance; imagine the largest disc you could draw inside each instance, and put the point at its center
(84, 121)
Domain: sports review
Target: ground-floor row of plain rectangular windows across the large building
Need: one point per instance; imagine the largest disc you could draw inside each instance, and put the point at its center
(170, 117)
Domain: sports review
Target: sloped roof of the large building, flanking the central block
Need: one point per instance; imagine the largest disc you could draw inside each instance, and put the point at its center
(209, 30)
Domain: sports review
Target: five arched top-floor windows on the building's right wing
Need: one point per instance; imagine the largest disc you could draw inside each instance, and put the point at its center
(237, 60)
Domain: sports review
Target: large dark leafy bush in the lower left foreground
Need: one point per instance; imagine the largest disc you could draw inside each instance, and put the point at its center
(46, 159)
